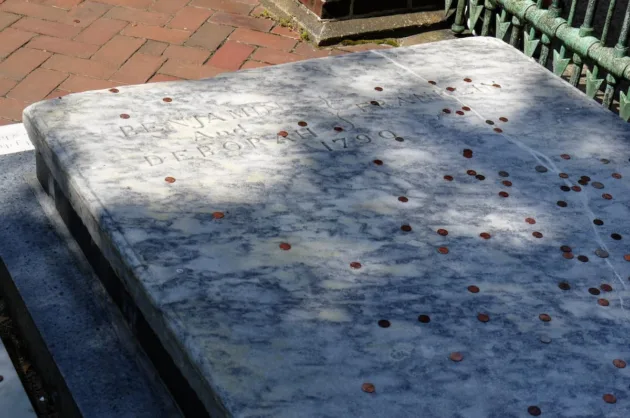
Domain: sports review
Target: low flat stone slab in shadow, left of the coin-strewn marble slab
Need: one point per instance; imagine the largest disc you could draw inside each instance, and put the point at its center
(76, 337)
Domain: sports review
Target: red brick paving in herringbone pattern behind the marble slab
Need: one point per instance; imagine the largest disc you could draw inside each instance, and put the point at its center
(50, 48)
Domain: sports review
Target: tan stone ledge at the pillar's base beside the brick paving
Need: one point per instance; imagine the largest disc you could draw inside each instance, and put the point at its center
(324, 32)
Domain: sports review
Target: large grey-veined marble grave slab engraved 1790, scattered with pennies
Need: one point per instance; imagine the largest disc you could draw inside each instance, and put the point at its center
(193, 189)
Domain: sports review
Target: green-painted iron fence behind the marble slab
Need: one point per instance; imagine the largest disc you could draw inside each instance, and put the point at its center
(549, 32)
